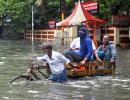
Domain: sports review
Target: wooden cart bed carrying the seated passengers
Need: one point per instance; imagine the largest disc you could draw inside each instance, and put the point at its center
(90, 69)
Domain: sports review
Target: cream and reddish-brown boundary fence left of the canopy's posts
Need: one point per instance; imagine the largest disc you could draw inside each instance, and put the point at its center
(53, 36)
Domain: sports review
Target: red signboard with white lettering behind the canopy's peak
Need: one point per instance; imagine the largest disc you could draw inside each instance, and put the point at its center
(91, 7)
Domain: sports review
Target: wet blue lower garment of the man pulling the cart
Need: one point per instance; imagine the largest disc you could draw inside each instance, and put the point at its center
(62, 77)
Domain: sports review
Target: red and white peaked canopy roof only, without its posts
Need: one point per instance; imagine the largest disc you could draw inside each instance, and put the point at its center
(79, 15)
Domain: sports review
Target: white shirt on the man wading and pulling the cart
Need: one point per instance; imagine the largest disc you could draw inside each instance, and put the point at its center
(56, 63)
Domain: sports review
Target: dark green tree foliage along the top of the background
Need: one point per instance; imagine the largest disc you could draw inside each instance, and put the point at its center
(20, 10)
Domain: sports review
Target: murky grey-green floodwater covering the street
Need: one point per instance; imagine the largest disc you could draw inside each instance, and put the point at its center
(13, 62)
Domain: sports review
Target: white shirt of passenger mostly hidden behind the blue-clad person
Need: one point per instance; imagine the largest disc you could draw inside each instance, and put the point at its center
(76, 43)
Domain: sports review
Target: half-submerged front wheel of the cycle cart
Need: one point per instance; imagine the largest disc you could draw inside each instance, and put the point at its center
(21, 78)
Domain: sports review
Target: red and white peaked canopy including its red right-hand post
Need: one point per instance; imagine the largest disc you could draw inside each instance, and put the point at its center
(80, 15)
